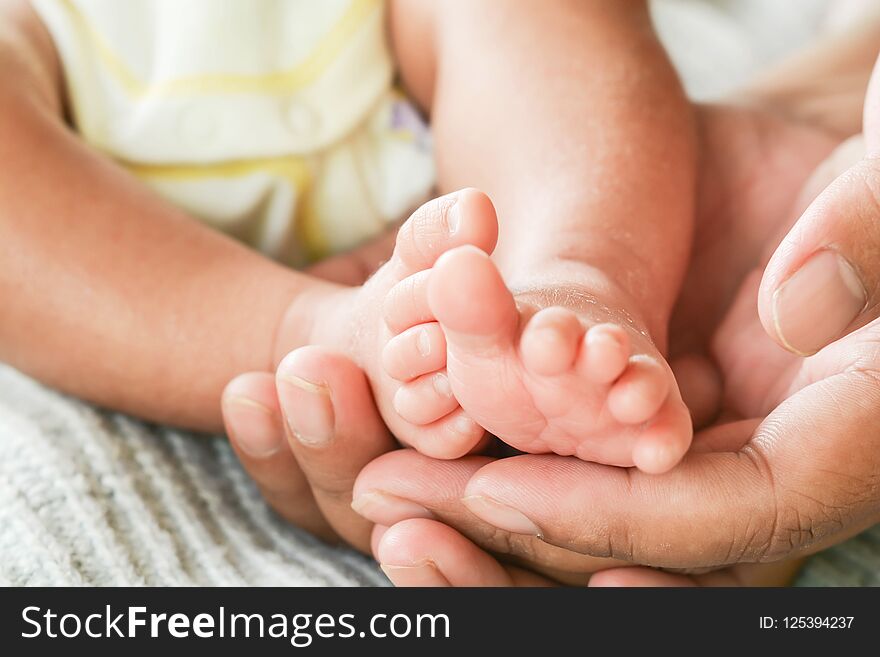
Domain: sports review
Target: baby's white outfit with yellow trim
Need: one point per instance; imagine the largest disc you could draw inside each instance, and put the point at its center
(275, 121)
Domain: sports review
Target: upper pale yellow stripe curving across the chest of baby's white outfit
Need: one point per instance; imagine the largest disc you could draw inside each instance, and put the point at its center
(280, 82)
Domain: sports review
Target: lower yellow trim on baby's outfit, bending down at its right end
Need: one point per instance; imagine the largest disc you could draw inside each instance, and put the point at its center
(297, 172)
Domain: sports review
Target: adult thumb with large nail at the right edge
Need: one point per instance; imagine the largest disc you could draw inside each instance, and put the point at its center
(823, 281)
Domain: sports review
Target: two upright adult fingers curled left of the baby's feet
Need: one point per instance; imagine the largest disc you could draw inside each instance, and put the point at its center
(315, 415)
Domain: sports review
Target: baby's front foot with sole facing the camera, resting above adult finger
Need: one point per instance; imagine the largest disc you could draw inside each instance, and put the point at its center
(541, 377)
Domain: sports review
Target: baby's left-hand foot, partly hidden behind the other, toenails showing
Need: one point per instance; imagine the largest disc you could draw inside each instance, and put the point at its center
(423, 413)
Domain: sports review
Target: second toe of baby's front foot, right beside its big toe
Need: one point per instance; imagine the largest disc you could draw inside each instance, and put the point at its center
(549, 343)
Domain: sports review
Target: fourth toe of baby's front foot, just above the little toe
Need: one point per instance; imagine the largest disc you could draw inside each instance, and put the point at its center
(639, 392)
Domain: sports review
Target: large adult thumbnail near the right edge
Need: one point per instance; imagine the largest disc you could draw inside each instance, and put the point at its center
(815, 305)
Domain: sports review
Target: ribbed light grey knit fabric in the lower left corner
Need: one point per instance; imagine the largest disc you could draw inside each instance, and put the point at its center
(91, 497)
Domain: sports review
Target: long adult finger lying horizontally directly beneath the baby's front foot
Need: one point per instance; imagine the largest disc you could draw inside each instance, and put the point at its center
(808, 477)
